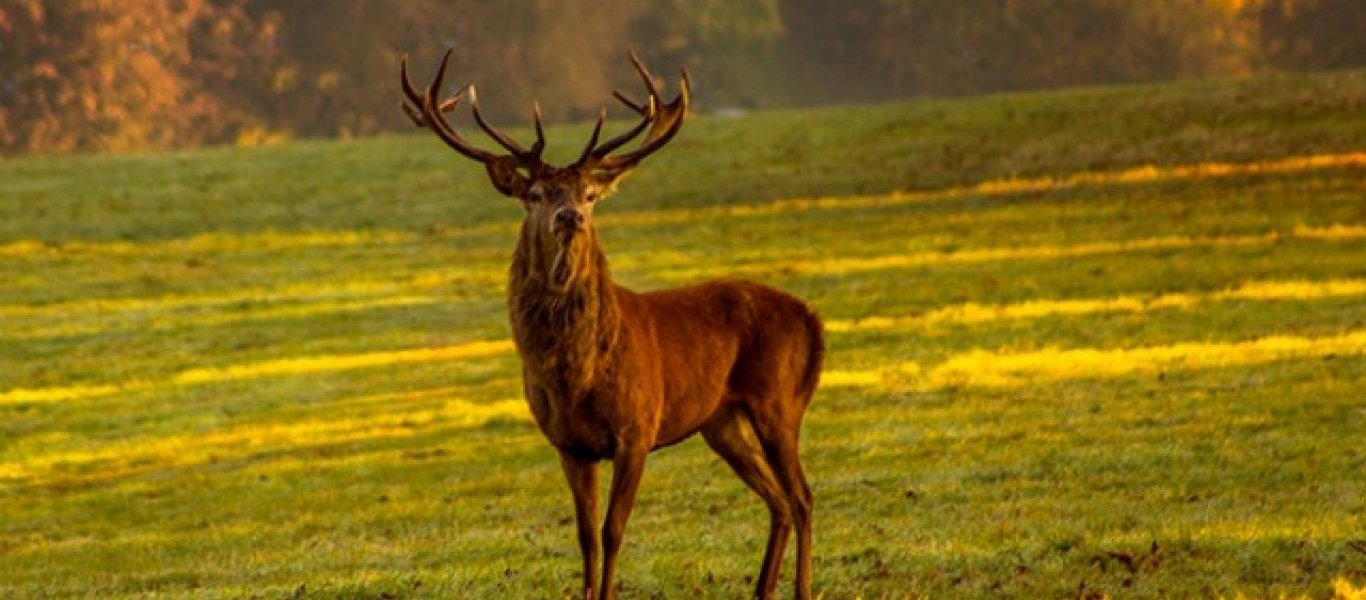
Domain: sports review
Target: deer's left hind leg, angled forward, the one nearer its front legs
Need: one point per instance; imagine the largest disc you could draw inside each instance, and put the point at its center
(731, 435)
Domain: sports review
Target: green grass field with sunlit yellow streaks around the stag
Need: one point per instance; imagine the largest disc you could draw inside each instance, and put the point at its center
(1095, 344)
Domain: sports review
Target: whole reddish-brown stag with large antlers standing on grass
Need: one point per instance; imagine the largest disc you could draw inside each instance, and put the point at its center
(613, 374)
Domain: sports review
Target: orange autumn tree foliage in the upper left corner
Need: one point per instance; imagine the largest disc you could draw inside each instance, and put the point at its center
(115, 76)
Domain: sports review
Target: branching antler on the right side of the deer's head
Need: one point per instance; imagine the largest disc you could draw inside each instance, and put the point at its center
(665, 121)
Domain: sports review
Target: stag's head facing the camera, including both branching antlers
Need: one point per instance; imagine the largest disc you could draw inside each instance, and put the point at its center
(558, 226)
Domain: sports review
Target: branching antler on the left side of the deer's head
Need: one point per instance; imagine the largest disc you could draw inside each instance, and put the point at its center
(428, 113)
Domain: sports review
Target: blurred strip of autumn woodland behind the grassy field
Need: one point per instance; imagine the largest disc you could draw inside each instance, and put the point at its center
(115, 76)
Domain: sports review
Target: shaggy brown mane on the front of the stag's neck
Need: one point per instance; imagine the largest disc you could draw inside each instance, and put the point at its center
(565, 314)
